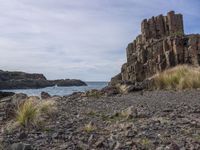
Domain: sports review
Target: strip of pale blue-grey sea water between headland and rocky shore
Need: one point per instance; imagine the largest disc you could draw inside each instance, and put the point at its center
(61, 91)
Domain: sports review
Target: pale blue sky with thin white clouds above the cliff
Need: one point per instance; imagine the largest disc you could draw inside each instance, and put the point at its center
(81, 39)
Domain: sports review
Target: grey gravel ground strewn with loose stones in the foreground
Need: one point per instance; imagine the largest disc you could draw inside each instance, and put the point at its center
(157, 120)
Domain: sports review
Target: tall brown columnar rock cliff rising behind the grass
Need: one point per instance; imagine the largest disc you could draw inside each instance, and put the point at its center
(161, 45)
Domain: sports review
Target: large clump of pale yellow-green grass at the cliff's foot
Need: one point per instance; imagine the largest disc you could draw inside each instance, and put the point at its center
(179, 77)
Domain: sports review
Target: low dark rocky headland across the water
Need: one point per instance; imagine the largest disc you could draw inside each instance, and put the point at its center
(22, 80)
